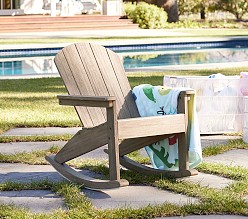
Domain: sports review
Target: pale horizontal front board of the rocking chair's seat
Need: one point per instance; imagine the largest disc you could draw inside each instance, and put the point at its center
(150, 126)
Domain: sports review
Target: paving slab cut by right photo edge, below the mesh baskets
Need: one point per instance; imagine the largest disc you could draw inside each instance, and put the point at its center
(237, 157)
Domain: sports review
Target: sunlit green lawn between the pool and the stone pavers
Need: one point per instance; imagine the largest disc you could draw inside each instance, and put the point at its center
(33, 102)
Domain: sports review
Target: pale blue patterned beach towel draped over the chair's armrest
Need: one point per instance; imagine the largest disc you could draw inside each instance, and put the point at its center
(159, 101)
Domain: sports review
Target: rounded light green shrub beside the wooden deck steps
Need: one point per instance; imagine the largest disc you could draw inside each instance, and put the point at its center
(146, 15)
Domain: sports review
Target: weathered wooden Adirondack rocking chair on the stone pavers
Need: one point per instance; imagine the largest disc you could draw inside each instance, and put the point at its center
(100, 92)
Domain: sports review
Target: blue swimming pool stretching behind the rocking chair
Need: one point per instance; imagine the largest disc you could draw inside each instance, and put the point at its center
(37, 61)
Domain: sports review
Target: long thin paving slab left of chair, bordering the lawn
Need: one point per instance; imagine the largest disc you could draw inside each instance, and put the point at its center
(41, 131)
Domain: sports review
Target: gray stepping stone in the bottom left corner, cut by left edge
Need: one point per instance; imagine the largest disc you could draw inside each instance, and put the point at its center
(36, 201)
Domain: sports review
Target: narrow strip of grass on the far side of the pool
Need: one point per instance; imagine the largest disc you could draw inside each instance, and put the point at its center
(174, 33)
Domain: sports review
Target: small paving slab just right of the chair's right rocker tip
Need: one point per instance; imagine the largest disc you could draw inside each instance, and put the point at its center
(208, 180)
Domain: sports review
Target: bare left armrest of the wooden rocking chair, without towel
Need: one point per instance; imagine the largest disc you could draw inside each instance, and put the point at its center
(90, 101)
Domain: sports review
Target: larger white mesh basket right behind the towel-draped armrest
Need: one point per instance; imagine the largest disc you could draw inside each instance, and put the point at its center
(219, 101)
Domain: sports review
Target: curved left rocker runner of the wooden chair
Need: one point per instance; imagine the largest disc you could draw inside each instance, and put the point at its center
(88, 182)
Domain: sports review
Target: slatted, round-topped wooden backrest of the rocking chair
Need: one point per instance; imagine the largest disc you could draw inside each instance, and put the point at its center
(92, 70)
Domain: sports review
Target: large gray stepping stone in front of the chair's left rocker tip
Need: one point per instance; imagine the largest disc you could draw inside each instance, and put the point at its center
(134, 196)
